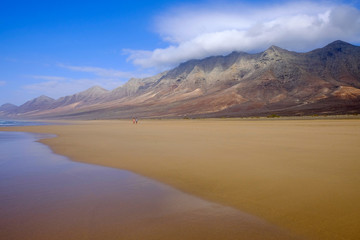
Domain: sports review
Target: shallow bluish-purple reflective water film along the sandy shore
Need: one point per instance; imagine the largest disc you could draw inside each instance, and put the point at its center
(47, 196)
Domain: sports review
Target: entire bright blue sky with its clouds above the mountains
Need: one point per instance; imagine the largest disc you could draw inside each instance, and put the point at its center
(58, 48)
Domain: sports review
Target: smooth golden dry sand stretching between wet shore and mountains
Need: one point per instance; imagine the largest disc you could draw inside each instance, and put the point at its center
(303, 175)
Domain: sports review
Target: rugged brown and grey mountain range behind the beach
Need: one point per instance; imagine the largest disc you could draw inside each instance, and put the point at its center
(276, 81)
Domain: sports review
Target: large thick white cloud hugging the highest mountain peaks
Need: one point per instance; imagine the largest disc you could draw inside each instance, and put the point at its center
(201, 31)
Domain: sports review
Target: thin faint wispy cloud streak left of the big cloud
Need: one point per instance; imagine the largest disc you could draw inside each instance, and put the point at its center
(103, 72)
